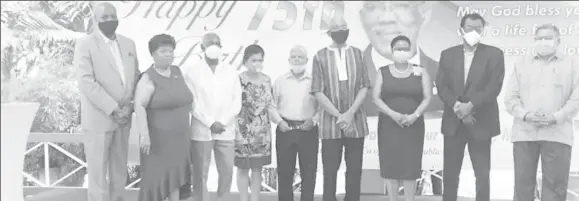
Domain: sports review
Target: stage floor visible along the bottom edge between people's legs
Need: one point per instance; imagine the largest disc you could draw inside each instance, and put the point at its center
(80, 195)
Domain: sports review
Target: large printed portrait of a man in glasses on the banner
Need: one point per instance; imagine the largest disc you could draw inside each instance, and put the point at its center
(384, 20)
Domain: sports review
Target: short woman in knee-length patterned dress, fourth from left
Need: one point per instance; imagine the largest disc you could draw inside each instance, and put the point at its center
(253, 140)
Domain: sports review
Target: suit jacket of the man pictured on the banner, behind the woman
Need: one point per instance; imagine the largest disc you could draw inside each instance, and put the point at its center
(435, 107)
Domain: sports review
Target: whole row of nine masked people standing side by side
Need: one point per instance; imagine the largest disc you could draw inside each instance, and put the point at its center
(184, 114)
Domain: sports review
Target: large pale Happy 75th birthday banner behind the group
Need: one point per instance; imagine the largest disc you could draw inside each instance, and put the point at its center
(279, 25)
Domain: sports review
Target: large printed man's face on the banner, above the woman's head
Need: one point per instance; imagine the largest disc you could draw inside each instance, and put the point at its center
(384, 20)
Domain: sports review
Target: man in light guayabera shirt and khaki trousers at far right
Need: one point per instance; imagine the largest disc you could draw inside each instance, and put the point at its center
(543, 96)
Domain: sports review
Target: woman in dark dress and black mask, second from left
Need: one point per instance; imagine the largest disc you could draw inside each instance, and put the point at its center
(162, 104)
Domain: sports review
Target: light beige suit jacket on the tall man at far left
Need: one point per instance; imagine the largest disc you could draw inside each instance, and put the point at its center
(99, 79)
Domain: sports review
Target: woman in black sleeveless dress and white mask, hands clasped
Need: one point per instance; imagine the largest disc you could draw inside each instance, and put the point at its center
(402, 93)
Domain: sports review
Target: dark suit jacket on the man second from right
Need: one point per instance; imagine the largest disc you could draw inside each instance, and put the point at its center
(483, 85)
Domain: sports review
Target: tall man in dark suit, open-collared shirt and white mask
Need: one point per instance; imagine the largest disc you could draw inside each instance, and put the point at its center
(469, 81)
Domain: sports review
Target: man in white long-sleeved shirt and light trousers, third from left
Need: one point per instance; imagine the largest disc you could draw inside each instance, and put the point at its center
(217, 101)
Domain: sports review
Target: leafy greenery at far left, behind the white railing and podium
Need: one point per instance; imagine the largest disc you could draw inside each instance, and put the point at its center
(37, 50)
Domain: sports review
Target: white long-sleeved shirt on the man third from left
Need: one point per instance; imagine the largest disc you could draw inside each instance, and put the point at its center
(217, 98)
